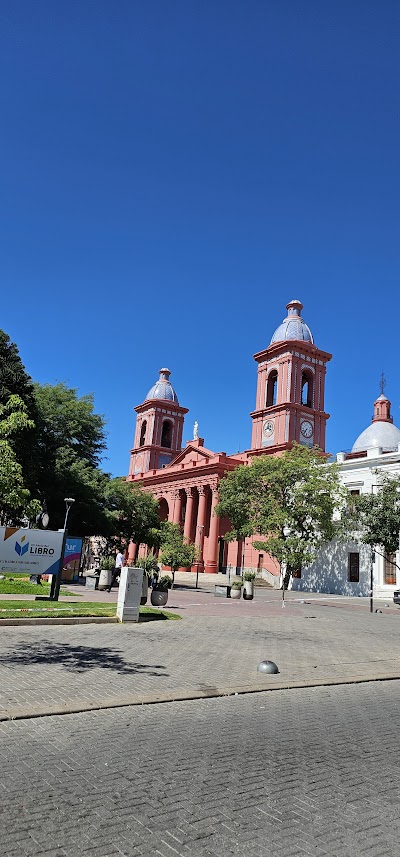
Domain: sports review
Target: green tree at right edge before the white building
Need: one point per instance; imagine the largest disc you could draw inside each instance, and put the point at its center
(375, 518)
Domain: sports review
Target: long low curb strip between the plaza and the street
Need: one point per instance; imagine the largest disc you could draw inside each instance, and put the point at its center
(179, 696)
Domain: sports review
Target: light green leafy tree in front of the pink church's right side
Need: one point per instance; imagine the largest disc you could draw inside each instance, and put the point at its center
(287, 501)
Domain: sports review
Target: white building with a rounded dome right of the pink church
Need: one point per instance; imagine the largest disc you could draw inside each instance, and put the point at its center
(345, 568)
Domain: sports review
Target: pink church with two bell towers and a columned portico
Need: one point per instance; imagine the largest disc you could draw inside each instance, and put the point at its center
(289, 407)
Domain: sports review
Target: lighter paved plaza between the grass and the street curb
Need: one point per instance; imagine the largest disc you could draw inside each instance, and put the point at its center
(51, 669)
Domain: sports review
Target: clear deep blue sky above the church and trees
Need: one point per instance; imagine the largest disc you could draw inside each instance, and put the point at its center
(173, 173)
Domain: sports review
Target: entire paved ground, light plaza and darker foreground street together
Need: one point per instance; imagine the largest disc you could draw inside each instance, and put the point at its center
(233, 762)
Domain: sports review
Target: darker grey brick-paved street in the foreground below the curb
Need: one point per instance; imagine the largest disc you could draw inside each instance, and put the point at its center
(286, 774)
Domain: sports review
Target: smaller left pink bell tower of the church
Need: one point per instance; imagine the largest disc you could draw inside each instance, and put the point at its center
(159, 428)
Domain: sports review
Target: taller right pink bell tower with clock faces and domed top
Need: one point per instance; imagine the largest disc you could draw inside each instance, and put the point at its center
(290, 389)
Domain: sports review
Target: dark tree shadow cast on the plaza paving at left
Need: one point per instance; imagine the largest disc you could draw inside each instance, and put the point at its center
(77, 658)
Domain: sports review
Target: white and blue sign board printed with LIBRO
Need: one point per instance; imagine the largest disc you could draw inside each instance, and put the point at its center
(26, 551)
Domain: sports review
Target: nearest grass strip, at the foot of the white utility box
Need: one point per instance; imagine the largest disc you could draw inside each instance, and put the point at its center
(28, 609)
